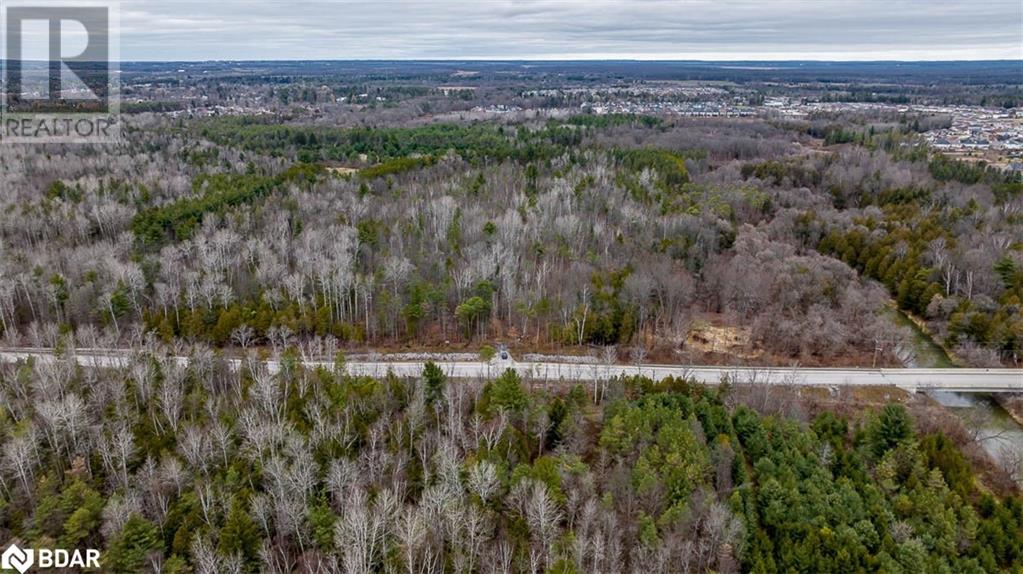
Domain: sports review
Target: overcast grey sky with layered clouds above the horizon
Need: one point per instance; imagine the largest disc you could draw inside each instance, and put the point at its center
(163, 30)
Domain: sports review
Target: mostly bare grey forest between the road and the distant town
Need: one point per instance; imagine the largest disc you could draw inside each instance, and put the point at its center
(581, 232)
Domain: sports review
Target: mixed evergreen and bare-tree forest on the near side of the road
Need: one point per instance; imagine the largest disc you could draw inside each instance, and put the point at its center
(172, 467)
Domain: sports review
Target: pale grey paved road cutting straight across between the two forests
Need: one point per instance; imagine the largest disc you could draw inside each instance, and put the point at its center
(971, 380)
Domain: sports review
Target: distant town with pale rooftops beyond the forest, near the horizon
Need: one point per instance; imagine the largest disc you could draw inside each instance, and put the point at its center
(972, 131)
